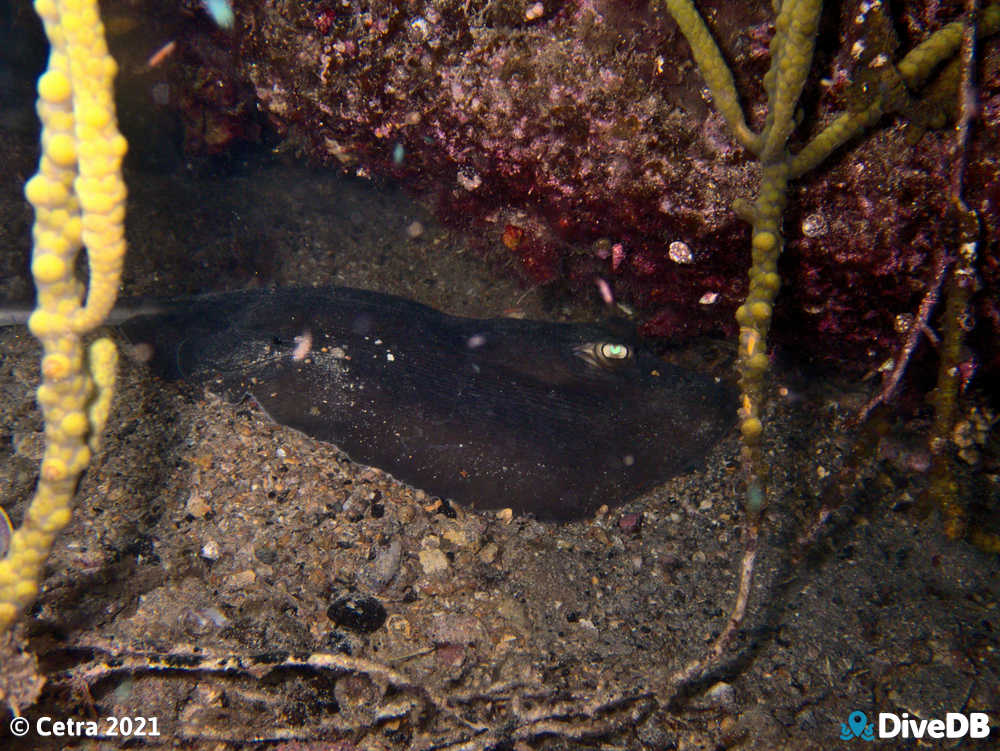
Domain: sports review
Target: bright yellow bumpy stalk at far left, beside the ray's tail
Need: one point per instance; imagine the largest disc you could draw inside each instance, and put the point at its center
(79, 200)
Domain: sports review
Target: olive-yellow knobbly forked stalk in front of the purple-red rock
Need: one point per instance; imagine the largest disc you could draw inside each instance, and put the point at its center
(796, 27)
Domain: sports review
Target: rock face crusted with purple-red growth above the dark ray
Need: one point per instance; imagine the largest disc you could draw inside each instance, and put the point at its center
(557, 130)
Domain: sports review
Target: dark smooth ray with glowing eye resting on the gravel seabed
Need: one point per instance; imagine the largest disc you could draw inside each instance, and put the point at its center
(547, 418)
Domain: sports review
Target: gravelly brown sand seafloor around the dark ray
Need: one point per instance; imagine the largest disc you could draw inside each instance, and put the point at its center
(203, 533)
